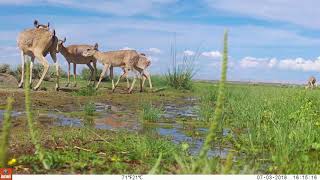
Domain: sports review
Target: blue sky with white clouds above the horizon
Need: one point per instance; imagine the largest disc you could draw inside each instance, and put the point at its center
(269, 40)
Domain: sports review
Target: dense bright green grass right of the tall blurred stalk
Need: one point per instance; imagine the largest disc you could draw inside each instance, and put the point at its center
(275, 126)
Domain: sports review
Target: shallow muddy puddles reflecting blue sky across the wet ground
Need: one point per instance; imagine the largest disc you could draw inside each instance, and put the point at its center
(110, 118)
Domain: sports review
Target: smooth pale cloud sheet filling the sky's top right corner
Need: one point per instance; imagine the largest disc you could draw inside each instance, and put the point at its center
(292, 11)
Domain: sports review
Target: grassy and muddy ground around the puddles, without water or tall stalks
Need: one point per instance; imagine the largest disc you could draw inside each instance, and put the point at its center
(269, 130)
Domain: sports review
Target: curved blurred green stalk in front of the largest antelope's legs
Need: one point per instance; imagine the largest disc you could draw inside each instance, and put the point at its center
(33, 131)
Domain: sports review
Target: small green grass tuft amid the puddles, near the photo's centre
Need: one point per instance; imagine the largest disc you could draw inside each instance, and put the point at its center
(150, 113)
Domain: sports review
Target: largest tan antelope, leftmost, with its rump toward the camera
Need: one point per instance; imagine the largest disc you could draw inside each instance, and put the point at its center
(37, 43)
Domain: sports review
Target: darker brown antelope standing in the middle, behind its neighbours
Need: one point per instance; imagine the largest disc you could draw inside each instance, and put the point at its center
(73, 54)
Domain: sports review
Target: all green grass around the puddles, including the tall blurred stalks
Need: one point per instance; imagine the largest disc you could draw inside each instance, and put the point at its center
(272, 130)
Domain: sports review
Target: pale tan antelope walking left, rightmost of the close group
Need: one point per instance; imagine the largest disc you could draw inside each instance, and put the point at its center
(126, 59)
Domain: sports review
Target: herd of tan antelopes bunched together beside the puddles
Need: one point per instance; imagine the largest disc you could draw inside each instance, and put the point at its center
(38, 41)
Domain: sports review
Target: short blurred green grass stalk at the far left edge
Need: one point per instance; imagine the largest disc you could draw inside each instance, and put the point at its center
(6, 125)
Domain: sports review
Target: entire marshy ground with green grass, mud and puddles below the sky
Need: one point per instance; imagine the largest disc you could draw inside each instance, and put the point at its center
(190, 127)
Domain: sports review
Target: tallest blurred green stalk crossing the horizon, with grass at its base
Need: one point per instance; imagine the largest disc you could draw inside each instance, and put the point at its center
(202, 163)
